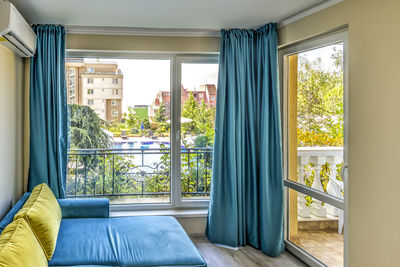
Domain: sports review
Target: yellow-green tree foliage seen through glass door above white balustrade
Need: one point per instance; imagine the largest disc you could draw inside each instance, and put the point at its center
(320, 102)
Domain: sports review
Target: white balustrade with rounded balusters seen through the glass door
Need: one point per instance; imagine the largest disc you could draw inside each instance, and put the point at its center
(319, 156)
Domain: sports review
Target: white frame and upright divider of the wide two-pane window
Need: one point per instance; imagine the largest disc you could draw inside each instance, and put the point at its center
(176, 60)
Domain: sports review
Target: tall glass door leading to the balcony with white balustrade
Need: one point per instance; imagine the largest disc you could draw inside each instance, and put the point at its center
(315, 139)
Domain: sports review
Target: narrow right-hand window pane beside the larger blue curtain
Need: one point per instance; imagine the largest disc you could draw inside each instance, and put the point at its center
(197, 135)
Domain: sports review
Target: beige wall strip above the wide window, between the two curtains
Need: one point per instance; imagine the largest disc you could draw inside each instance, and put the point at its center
(142, 43)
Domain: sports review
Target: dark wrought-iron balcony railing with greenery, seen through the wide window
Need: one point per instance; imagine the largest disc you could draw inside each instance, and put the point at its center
(137, 175)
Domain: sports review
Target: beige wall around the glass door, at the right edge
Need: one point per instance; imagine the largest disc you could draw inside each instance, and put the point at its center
(374, 124)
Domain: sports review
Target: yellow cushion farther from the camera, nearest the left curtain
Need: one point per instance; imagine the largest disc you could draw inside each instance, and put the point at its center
(43, 215)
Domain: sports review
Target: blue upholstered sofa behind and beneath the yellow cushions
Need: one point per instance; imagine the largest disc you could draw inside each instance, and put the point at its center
(89, 237)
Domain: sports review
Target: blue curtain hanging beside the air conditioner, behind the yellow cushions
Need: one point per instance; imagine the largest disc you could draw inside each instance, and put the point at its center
(48, 110)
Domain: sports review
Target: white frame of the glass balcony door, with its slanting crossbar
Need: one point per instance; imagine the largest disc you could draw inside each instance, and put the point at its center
(337, 36)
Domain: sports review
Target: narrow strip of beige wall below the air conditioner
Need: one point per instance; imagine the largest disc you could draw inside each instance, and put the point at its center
(11, 134)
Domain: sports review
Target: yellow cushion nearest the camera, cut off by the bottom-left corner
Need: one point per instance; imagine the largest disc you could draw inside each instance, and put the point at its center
(19, 246)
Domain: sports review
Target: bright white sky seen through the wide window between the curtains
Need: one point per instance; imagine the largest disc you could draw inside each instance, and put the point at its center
(143, 78)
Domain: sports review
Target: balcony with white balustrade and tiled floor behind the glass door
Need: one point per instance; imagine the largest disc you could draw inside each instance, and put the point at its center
(317, 227)
